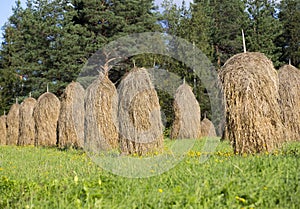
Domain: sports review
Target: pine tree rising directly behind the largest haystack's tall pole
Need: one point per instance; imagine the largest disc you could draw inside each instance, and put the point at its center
(228, 18)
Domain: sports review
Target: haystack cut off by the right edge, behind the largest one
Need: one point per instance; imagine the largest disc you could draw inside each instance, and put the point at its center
(289, 86)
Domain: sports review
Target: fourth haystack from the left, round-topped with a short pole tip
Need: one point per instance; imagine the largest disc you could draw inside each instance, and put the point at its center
(46, 113)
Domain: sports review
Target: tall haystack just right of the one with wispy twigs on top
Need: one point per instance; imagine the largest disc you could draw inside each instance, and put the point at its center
(141, 129)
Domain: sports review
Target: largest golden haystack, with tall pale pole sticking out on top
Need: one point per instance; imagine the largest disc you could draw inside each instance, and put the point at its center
(250, 85)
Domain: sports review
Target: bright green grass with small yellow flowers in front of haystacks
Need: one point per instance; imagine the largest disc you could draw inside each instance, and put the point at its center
(50, 178)
